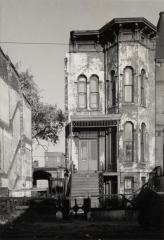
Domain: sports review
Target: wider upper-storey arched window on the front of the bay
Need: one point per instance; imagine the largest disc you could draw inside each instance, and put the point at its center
(128, 84)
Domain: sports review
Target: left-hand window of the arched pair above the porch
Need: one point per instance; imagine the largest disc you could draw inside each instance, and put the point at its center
(82, 92)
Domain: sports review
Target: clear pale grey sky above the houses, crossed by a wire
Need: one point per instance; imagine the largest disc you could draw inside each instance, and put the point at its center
(48, 21)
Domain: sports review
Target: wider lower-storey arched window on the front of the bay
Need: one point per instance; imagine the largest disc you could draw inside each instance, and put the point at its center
(129, 141)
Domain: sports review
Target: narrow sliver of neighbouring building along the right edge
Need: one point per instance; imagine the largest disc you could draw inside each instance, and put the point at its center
(159, 60)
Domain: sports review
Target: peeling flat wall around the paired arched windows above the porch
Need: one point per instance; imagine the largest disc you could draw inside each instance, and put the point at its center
(86, 64)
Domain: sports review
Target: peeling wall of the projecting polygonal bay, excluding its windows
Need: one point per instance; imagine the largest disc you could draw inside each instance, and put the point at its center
(138, 57)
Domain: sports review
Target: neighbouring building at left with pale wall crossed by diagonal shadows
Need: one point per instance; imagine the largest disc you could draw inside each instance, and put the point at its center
(15, 134)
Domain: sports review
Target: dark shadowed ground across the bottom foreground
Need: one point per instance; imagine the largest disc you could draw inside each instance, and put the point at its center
(44, 226)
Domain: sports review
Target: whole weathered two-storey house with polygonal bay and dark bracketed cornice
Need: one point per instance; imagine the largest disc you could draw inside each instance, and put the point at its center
(110, 104)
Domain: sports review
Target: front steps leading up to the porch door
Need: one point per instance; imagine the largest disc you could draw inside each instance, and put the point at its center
(85, 184)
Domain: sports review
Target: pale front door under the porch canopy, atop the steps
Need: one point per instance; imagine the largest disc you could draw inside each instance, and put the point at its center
(88, 155)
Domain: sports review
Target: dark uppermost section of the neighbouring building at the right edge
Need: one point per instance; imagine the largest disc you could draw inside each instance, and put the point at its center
(160, 37)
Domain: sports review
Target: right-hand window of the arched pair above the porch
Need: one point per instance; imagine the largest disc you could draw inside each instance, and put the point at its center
(94, 92)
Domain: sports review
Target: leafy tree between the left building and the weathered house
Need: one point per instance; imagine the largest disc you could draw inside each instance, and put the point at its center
(47, 119)
